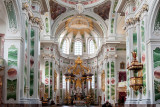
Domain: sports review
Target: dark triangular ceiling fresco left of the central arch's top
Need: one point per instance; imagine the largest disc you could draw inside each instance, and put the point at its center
(56, 9)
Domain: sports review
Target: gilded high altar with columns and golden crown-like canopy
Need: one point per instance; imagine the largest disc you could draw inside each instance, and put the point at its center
(81, 79)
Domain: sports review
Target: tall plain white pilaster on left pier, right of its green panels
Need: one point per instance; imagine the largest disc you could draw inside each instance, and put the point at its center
(37, 31)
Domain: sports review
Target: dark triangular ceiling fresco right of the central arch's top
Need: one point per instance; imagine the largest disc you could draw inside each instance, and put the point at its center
(103, 10)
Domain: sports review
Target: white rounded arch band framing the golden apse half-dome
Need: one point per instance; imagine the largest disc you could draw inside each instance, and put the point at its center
(90, 14)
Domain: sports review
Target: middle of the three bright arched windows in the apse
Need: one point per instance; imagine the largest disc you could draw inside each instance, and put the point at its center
(78, 48)
